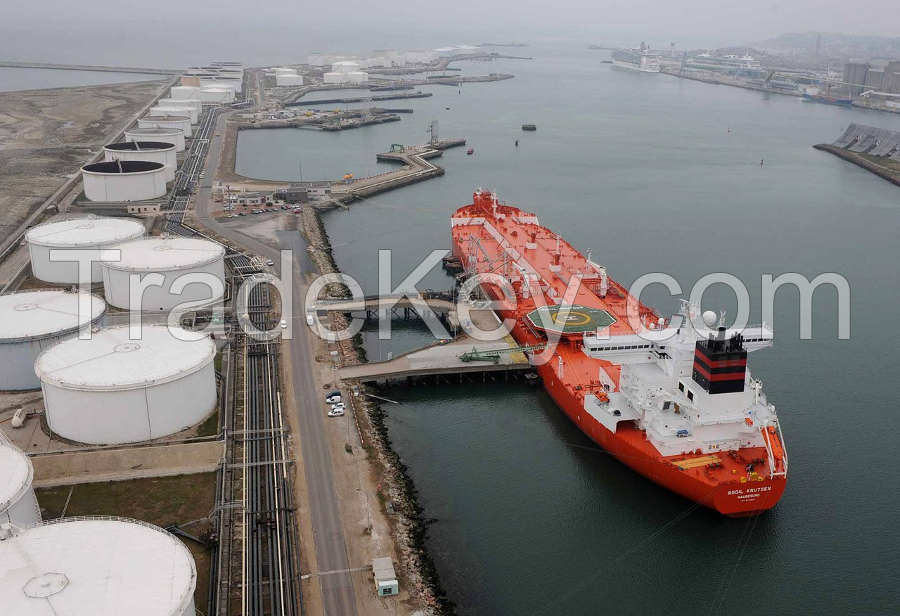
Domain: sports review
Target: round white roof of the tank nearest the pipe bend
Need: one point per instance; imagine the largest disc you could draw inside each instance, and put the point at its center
(163, 253)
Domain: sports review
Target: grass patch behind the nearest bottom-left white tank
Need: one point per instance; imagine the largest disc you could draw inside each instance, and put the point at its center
(159, 500)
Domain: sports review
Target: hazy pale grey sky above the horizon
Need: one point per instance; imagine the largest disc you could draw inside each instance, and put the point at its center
(50, 30)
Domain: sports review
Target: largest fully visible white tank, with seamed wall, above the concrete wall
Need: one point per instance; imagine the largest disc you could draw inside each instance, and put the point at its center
(113, 390)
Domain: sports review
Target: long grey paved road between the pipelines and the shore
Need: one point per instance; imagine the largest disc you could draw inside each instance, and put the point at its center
(331, 551)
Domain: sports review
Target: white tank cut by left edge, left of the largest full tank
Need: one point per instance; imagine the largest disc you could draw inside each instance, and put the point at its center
(34, 321)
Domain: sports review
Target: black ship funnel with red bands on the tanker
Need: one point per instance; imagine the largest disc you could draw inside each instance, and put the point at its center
(720, 363)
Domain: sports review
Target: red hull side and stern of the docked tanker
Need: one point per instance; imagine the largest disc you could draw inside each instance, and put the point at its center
(734, 498)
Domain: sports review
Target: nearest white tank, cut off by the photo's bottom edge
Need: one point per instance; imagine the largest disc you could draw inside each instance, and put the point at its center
(97, 566)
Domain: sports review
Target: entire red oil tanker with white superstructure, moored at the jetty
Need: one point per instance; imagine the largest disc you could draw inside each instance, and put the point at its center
(673, 399)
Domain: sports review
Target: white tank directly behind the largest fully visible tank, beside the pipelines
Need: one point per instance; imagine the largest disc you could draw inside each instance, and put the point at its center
(173, 258)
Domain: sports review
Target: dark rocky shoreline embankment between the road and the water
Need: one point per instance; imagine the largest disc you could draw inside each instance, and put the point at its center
(397, 489)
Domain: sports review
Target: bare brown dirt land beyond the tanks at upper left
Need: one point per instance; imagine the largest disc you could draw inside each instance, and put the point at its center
(47, 135)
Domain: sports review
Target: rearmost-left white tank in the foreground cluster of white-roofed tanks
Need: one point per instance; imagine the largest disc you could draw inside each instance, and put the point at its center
(88, 234)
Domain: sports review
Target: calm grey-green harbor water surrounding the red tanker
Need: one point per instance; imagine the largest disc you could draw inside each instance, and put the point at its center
(653, 173)
